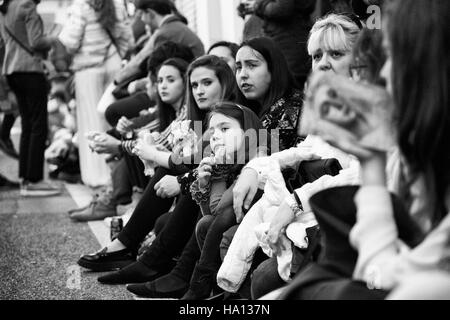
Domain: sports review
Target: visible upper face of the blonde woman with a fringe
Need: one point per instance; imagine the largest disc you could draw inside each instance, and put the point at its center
(326, 59)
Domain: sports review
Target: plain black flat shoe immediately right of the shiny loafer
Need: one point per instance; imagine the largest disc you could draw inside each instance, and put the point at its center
(133, 273)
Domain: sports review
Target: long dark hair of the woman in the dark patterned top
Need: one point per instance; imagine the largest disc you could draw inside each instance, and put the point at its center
(282, 79)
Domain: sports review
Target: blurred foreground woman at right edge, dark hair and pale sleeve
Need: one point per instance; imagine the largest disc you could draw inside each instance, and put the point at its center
(423, 127)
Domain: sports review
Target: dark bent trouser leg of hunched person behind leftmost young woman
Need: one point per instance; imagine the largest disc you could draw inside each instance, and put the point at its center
(128, 107)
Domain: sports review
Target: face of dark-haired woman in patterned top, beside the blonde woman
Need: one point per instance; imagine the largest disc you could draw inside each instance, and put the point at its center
(252, 74)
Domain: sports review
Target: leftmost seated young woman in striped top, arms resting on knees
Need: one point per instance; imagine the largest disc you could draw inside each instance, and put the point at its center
(170, 108)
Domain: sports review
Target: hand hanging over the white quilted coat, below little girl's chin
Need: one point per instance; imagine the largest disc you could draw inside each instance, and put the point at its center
(244, 192)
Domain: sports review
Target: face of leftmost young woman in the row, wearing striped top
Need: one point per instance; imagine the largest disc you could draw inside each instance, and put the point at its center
(170, 84)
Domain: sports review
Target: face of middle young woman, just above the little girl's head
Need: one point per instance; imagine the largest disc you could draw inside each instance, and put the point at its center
(206, 87)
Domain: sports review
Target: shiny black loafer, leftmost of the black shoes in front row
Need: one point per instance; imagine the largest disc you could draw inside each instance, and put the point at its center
(107, 261)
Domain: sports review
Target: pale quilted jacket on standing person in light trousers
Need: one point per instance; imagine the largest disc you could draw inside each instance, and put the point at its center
(88, 40)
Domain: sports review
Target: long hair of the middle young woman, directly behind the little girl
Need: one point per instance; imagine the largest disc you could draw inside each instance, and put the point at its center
(223, 72)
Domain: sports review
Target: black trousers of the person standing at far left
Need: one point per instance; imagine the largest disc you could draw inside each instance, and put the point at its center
(31, 90)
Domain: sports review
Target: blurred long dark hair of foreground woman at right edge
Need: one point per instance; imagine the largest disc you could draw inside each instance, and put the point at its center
(419, 34)
